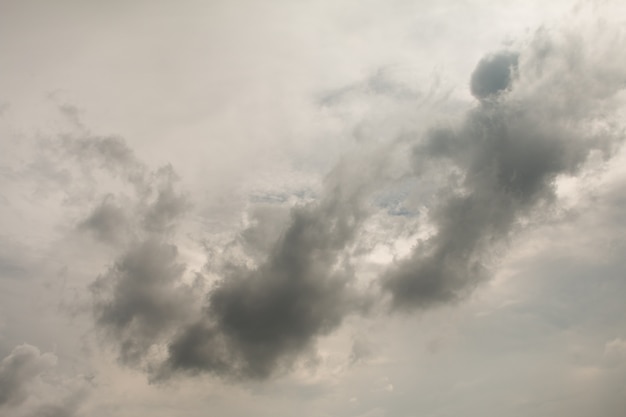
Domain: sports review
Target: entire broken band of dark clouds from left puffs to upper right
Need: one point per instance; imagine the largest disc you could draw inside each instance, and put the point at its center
(532, 125)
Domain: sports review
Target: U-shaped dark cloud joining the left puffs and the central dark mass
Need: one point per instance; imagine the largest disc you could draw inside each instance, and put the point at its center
(255, 320)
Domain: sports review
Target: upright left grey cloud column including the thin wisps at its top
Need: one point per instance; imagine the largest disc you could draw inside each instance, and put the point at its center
(141, 298)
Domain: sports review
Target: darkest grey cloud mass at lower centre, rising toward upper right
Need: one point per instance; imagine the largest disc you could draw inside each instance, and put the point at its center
(268, 314)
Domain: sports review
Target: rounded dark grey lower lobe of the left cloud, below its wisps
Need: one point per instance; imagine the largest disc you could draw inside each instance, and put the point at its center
(140, 298)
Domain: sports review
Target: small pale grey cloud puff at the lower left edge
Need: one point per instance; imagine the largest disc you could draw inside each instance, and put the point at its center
(19, 370)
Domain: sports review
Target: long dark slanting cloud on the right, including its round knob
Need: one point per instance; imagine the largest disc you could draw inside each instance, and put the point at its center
(503, 161)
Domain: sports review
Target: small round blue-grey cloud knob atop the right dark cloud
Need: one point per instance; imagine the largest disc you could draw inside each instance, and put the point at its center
(493, 74)
